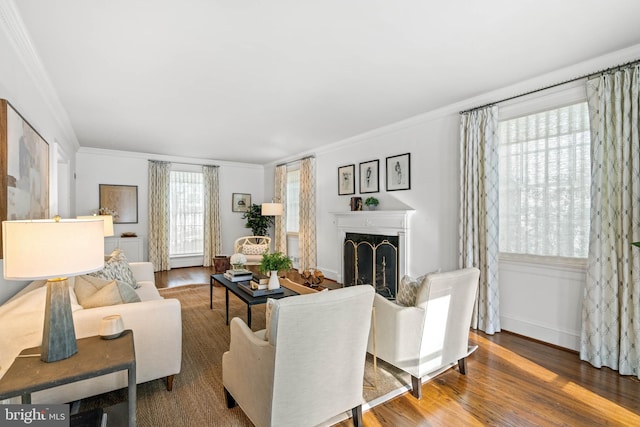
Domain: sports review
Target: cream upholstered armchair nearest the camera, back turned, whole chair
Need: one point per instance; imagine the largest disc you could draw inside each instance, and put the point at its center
(309, 368)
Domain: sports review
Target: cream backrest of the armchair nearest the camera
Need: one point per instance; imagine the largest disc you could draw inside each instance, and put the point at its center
(320, 344)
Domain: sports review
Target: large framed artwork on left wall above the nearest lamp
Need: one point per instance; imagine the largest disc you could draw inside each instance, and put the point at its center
(24, 161)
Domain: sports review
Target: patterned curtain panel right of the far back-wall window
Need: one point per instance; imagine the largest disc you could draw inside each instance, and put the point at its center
(212, 238)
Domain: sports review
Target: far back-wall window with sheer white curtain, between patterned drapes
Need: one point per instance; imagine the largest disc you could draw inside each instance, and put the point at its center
(187, 214)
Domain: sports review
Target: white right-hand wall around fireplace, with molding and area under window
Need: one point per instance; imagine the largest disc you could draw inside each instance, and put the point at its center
(536, 300)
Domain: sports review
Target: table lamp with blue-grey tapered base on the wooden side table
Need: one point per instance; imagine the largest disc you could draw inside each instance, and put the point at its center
(53, 249)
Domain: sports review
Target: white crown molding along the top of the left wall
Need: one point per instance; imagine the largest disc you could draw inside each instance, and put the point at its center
(17, 34)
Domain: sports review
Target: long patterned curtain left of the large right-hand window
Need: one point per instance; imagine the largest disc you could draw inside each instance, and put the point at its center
(479, 239)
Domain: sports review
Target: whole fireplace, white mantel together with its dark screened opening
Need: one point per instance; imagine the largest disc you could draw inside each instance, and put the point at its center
(389, 235)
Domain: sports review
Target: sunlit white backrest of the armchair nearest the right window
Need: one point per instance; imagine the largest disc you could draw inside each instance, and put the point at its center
(448, 300)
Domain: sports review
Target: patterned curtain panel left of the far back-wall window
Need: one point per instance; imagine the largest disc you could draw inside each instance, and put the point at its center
(159, 181)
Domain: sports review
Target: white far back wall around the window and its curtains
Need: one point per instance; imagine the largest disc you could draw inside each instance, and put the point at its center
(96, 167)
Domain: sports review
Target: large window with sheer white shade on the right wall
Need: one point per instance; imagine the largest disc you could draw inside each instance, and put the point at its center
(544, 183)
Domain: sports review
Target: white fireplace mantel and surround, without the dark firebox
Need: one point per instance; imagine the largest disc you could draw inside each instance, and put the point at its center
(379, 222)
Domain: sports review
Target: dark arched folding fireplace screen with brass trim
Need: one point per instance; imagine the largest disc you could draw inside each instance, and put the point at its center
(371, 259)
